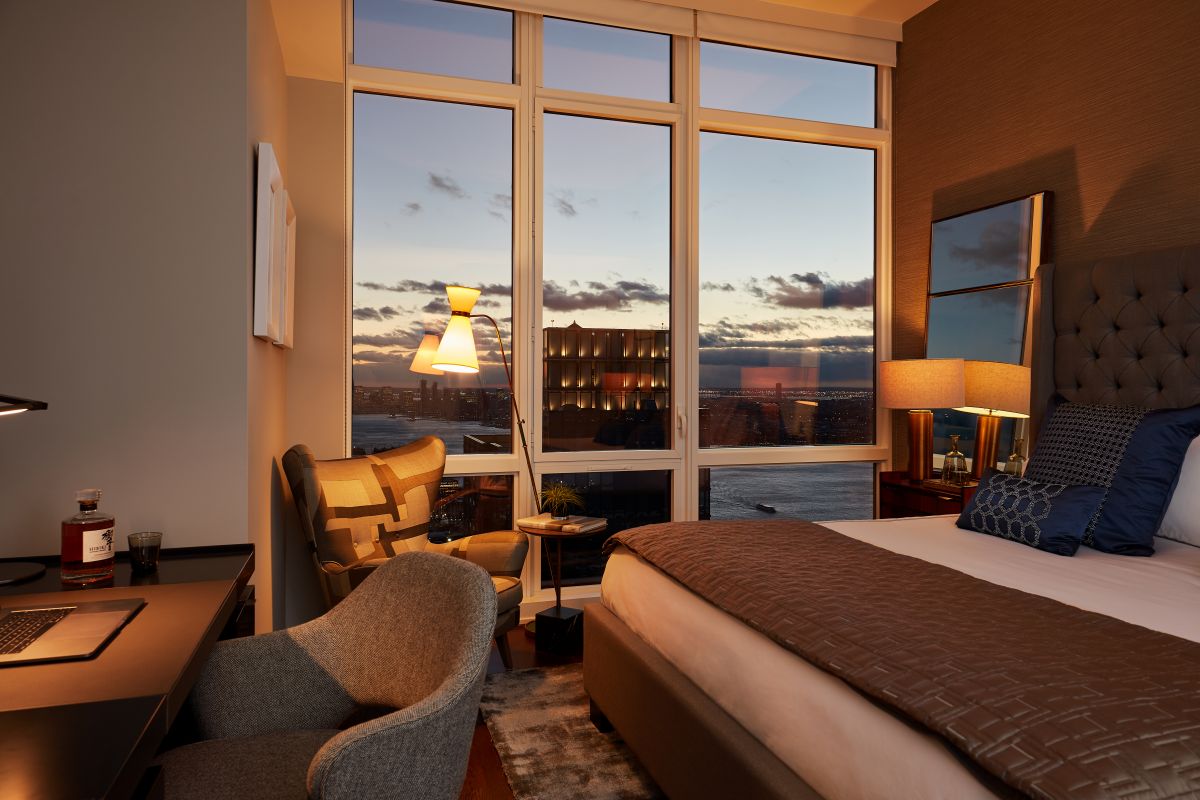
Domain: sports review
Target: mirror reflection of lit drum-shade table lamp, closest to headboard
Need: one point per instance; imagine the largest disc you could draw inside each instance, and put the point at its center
(994, 392)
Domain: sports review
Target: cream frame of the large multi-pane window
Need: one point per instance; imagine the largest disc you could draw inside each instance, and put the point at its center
(529, 101)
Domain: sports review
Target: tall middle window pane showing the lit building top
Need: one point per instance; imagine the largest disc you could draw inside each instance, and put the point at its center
(607, 286)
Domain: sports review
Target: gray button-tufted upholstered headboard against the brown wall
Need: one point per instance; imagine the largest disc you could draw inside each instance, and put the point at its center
(1121, 330)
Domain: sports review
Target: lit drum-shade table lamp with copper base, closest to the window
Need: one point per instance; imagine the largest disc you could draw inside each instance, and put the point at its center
(921, 386)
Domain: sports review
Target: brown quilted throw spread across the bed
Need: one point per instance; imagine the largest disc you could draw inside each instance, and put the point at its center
(1054, 701)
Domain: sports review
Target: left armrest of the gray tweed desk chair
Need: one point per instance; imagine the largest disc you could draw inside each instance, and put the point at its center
(268, 683)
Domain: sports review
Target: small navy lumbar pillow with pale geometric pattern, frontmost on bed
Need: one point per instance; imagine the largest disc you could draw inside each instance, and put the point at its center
(1051, 518)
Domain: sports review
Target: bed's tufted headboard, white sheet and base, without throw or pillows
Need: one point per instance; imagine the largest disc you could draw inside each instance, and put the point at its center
(716, 709)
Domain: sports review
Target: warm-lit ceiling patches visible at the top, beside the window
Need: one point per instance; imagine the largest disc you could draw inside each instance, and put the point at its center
(311, 31)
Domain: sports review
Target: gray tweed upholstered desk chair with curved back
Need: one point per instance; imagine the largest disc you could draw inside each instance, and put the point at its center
(416, 636)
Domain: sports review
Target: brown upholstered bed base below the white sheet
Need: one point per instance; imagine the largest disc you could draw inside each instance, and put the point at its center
(691, 747)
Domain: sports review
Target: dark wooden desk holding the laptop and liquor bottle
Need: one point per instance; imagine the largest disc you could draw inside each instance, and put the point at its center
(92, 729)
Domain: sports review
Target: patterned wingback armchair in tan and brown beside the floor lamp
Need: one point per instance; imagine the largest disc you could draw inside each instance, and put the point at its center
(358, 513)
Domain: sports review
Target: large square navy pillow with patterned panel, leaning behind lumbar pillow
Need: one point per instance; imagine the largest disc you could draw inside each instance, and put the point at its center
(1135, 454)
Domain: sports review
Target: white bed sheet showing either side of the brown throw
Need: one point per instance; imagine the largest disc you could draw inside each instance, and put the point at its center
(842, 744)
